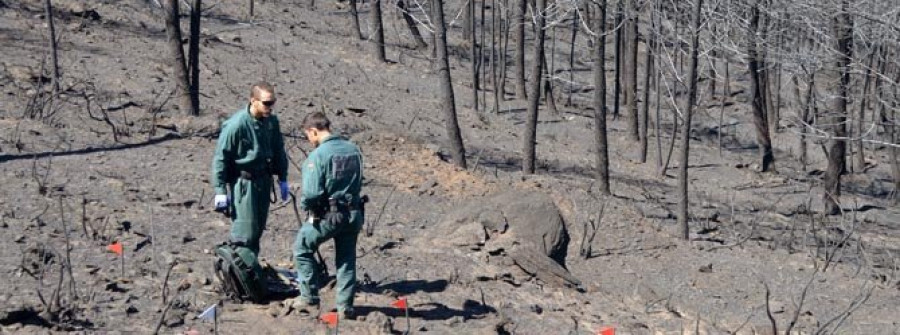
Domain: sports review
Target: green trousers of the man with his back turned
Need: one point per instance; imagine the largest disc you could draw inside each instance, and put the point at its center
(310, 236)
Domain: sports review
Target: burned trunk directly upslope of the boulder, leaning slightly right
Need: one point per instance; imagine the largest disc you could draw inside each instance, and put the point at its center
(528, 163)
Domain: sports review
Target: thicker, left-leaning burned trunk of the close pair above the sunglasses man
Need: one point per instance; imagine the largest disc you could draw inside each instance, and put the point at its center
(182, 81)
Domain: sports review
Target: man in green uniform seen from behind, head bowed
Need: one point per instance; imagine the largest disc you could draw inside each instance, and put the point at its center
(332, 180)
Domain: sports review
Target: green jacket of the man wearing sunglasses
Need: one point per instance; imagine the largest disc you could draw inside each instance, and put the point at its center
(248, 144)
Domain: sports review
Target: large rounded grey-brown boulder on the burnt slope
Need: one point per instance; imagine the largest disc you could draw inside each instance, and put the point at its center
(524, 226)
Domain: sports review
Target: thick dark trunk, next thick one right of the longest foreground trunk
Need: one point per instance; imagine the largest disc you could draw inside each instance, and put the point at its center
(758, 94)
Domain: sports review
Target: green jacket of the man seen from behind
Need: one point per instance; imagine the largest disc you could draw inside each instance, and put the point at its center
(333, 170)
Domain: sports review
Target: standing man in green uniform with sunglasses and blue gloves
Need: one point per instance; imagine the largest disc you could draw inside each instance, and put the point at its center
(250, 150)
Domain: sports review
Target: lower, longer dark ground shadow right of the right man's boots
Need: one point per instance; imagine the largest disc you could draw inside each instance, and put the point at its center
(432, 311)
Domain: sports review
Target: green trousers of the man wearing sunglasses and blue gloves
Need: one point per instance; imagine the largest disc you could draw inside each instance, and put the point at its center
(249, 211)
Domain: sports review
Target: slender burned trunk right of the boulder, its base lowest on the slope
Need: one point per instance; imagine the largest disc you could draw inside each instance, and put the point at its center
(686, 134)
